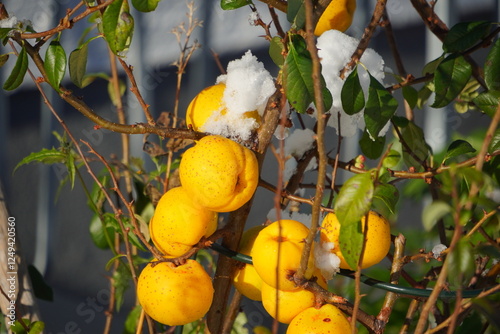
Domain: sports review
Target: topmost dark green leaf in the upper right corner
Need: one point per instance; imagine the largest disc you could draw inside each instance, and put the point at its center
(464, 35)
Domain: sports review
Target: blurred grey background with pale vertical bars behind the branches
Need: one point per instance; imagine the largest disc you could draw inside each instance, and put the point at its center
(54, 233)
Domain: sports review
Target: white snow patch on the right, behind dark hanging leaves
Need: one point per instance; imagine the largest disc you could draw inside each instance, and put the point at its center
(335, 49)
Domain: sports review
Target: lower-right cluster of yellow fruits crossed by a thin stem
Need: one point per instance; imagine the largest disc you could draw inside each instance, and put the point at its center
(276, 250)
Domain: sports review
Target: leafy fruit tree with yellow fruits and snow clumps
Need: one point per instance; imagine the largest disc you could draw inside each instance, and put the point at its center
(331, 251)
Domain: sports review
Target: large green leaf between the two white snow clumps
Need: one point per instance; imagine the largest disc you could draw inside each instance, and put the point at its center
(298, 82)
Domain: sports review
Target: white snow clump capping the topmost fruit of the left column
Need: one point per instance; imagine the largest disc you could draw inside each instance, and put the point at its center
(248, 87)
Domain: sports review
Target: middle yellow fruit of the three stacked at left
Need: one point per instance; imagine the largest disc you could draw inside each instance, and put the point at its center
(178, 222)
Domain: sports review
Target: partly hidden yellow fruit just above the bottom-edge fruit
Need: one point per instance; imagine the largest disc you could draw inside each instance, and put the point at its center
(289, 303)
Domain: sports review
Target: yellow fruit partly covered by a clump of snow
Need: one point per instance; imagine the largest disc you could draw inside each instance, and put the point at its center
(208, 103)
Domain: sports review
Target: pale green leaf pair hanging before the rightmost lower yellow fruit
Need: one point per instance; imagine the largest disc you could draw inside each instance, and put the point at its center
(352, 203)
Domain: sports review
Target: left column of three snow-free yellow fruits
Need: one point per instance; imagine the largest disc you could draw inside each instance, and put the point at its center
(217, 175)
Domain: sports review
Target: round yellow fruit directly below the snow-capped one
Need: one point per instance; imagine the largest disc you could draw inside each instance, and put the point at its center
(219, 174)
